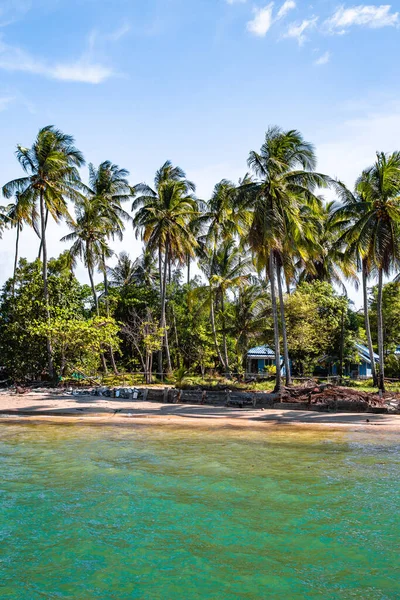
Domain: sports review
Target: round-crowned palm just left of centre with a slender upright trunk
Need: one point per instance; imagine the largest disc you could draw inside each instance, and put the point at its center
(163, 219)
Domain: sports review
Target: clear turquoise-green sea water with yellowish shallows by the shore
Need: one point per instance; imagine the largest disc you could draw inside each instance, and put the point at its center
(150, 513)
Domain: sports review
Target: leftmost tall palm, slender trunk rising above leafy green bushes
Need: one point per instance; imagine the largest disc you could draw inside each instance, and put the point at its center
(52, 179)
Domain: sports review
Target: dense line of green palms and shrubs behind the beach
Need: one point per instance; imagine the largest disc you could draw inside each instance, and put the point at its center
(275, 258)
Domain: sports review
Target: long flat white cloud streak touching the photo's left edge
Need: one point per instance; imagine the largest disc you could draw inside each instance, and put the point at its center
(83, 70)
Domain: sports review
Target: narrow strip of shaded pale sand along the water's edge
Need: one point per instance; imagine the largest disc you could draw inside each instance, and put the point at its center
(52, 407)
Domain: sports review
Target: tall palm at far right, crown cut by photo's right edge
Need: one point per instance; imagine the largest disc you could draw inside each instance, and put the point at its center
(375, 230)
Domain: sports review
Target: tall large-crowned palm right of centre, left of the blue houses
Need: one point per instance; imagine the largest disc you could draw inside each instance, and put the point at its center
(285, 180)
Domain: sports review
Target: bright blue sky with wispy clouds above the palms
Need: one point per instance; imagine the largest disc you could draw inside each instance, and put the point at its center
(198, 82)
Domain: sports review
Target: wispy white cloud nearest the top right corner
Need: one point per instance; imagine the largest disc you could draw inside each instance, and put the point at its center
(362, 15)
